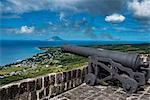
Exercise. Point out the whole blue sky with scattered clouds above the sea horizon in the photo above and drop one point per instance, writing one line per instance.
(114, 20)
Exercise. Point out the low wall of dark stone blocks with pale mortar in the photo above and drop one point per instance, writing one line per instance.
(43, 87)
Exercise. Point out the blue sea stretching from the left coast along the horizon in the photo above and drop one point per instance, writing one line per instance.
(12, 51)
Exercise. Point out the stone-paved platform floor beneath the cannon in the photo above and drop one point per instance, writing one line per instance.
(85, 92)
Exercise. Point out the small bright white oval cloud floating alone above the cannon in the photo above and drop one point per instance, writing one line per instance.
(115, 18)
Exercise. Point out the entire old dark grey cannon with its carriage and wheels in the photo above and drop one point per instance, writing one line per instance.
(107, 65)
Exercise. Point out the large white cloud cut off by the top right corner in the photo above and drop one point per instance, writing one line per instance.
(140, 8)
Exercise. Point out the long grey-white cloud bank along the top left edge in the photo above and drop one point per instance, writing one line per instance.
(21, 6)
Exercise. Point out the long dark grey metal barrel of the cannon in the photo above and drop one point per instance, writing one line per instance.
(129, 60)
